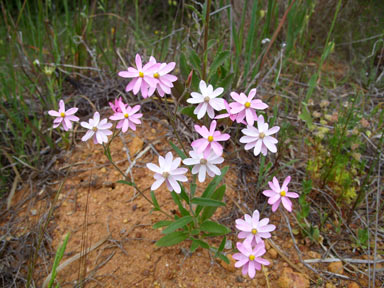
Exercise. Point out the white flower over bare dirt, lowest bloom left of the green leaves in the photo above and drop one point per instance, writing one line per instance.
(168, 172)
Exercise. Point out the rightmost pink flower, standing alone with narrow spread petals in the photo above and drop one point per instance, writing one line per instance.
(280, 194)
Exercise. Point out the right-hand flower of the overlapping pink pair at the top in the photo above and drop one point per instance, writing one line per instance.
(164, 84)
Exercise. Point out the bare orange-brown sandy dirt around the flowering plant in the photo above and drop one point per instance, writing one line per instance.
(115, 223)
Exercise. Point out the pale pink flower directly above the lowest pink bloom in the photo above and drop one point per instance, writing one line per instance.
(253, 229)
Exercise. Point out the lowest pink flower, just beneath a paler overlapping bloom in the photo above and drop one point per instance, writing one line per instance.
(249, 258)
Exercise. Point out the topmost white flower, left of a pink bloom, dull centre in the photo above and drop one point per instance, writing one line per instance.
(207, 100)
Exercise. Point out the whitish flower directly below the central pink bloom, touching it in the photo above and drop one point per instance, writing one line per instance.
(204, 165)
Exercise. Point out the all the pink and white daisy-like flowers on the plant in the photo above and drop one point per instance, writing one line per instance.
(206, 151)
